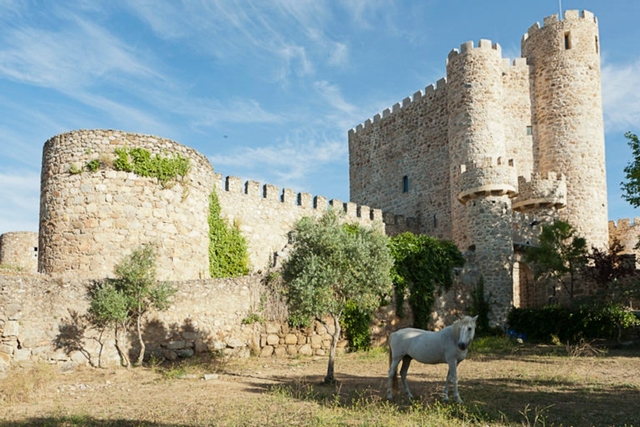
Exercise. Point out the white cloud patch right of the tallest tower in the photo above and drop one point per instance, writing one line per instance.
(621, 105)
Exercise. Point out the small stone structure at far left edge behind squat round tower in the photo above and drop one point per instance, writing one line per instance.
(20, 249)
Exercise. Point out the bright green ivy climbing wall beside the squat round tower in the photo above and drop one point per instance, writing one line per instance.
(228, 256)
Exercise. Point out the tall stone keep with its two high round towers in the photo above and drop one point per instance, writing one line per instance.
(495, 149)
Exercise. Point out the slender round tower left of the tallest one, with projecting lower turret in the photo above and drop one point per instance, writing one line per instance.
(482, 180)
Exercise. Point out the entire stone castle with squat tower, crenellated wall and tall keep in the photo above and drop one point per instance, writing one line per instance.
(483, 158)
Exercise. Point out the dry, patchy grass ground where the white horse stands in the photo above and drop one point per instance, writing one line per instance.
(524, 387)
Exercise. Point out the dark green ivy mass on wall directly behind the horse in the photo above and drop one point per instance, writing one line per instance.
(423, 265)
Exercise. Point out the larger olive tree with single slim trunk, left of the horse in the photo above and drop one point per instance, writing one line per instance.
(331, 265)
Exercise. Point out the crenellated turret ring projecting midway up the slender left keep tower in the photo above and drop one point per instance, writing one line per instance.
(491, 175)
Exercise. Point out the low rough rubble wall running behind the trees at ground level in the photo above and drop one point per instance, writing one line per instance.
(41, 318)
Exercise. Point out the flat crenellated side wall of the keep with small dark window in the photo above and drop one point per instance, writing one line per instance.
(408, 140)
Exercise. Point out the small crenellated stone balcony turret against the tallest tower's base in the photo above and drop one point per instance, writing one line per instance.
(536, 192)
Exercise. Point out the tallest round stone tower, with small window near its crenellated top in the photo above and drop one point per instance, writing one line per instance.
(567, 122)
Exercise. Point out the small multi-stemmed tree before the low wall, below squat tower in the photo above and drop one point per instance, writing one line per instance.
(127, 298)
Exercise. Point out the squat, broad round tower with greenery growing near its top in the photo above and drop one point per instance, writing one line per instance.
(92, 215)
